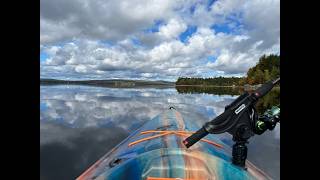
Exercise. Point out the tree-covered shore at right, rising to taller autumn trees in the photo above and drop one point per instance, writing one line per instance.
(266, 69)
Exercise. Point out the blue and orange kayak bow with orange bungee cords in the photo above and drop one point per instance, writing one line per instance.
(156, 152)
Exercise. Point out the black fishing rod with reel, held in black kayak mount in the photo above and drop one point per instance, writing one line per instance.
(241, 121)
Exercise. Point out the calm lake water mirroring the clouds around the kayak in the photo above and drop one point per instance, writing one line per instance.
(79, 124)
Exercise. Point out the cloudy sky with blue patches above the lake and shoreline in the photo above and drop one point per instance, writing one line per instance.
(155, 40)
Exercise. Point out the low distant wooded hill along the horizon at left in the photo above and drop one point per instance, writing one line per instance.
(118, 83)
